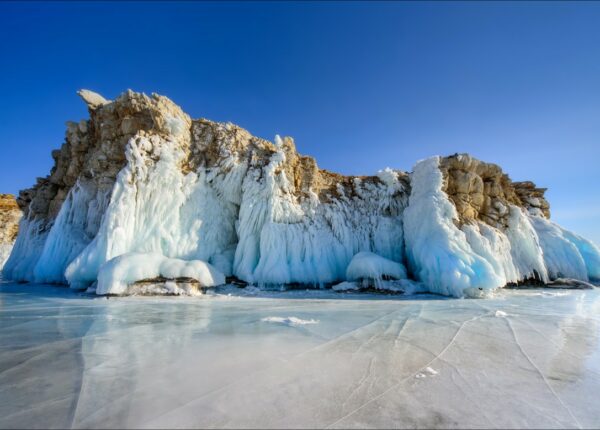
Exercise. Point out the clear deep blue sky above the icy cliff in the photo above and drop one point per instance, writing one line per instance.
(360, 86)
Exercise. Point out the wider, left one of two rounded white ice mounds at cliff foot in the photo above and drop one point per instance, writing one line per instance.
(117, 274)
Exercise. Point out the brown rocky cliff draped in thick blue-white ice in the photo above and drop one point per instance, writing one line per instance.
(141, 188)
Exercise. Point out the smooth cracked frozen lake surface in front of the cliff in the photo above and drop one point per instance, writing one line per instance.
(298, 359)
